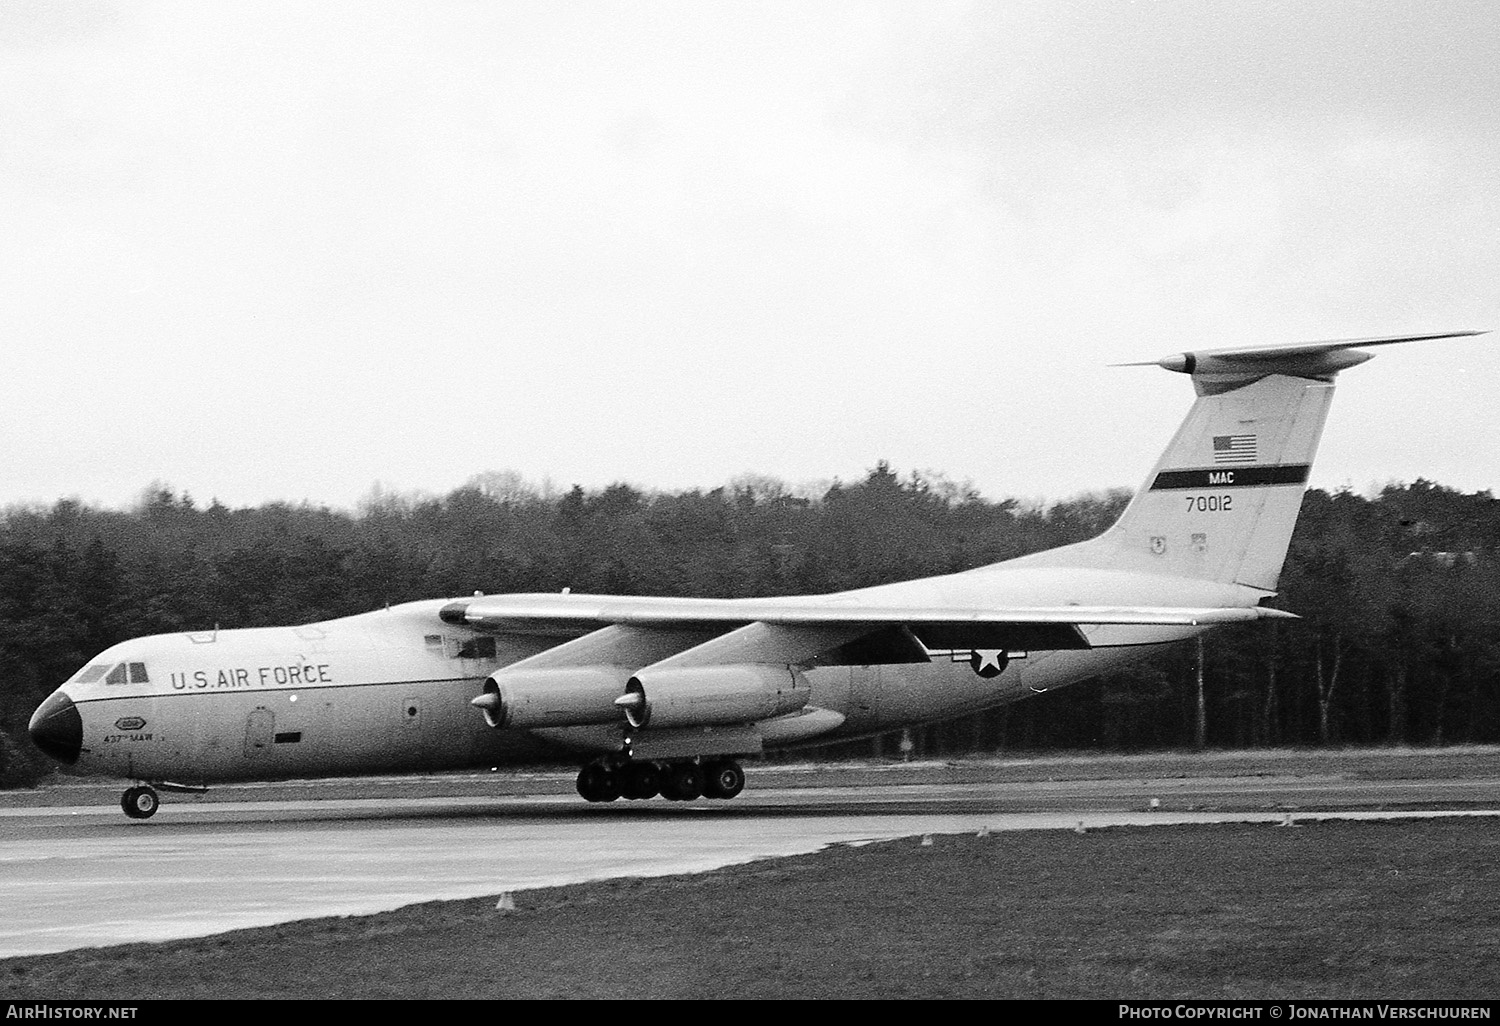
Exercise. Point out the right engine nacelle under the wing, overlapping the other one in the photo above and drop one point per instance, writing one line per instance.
(709, 695)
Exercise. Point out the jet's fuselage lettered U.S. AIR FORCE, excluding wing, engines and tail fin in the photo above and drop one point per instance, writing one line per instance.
(392, 691)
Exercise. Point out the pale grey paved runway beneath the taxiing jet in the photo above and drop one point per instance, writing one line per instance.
(82, 875)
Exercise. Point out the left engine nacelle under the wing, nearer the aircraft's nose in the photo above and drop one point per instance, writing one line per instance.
(563, 697)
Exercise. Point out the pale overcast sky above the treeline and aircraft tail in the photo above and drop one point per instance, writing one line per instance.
(284, 251)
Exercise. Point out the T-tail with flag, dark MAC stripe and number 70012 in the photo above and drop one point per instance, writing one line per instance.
(1223, 500)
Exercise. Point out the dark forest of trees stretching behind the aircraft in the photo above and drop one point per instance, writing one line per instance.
(1399, 593)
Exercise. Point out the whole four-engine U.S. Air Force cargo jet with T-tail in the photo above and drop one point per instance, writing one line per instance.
(664, 697)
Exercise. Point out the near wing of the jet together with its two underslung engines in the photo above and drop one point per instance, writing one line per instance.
(730, 674)
